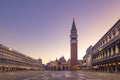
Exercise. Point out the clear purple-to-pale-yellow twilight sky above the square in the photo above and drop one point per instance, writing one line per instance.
(41, 28)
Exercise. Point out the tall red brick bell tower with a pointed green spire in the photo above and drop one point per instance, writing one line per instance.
(73, 43)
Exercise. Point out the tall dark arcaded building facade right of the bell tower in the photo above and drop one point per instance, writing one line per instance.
(106, 52)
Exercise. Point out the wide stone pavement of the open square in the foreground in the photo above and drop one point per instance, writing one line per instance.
(58, 75)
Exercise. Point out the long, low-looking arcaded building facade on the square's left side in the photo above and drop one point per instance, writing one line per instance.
(12, 60)
